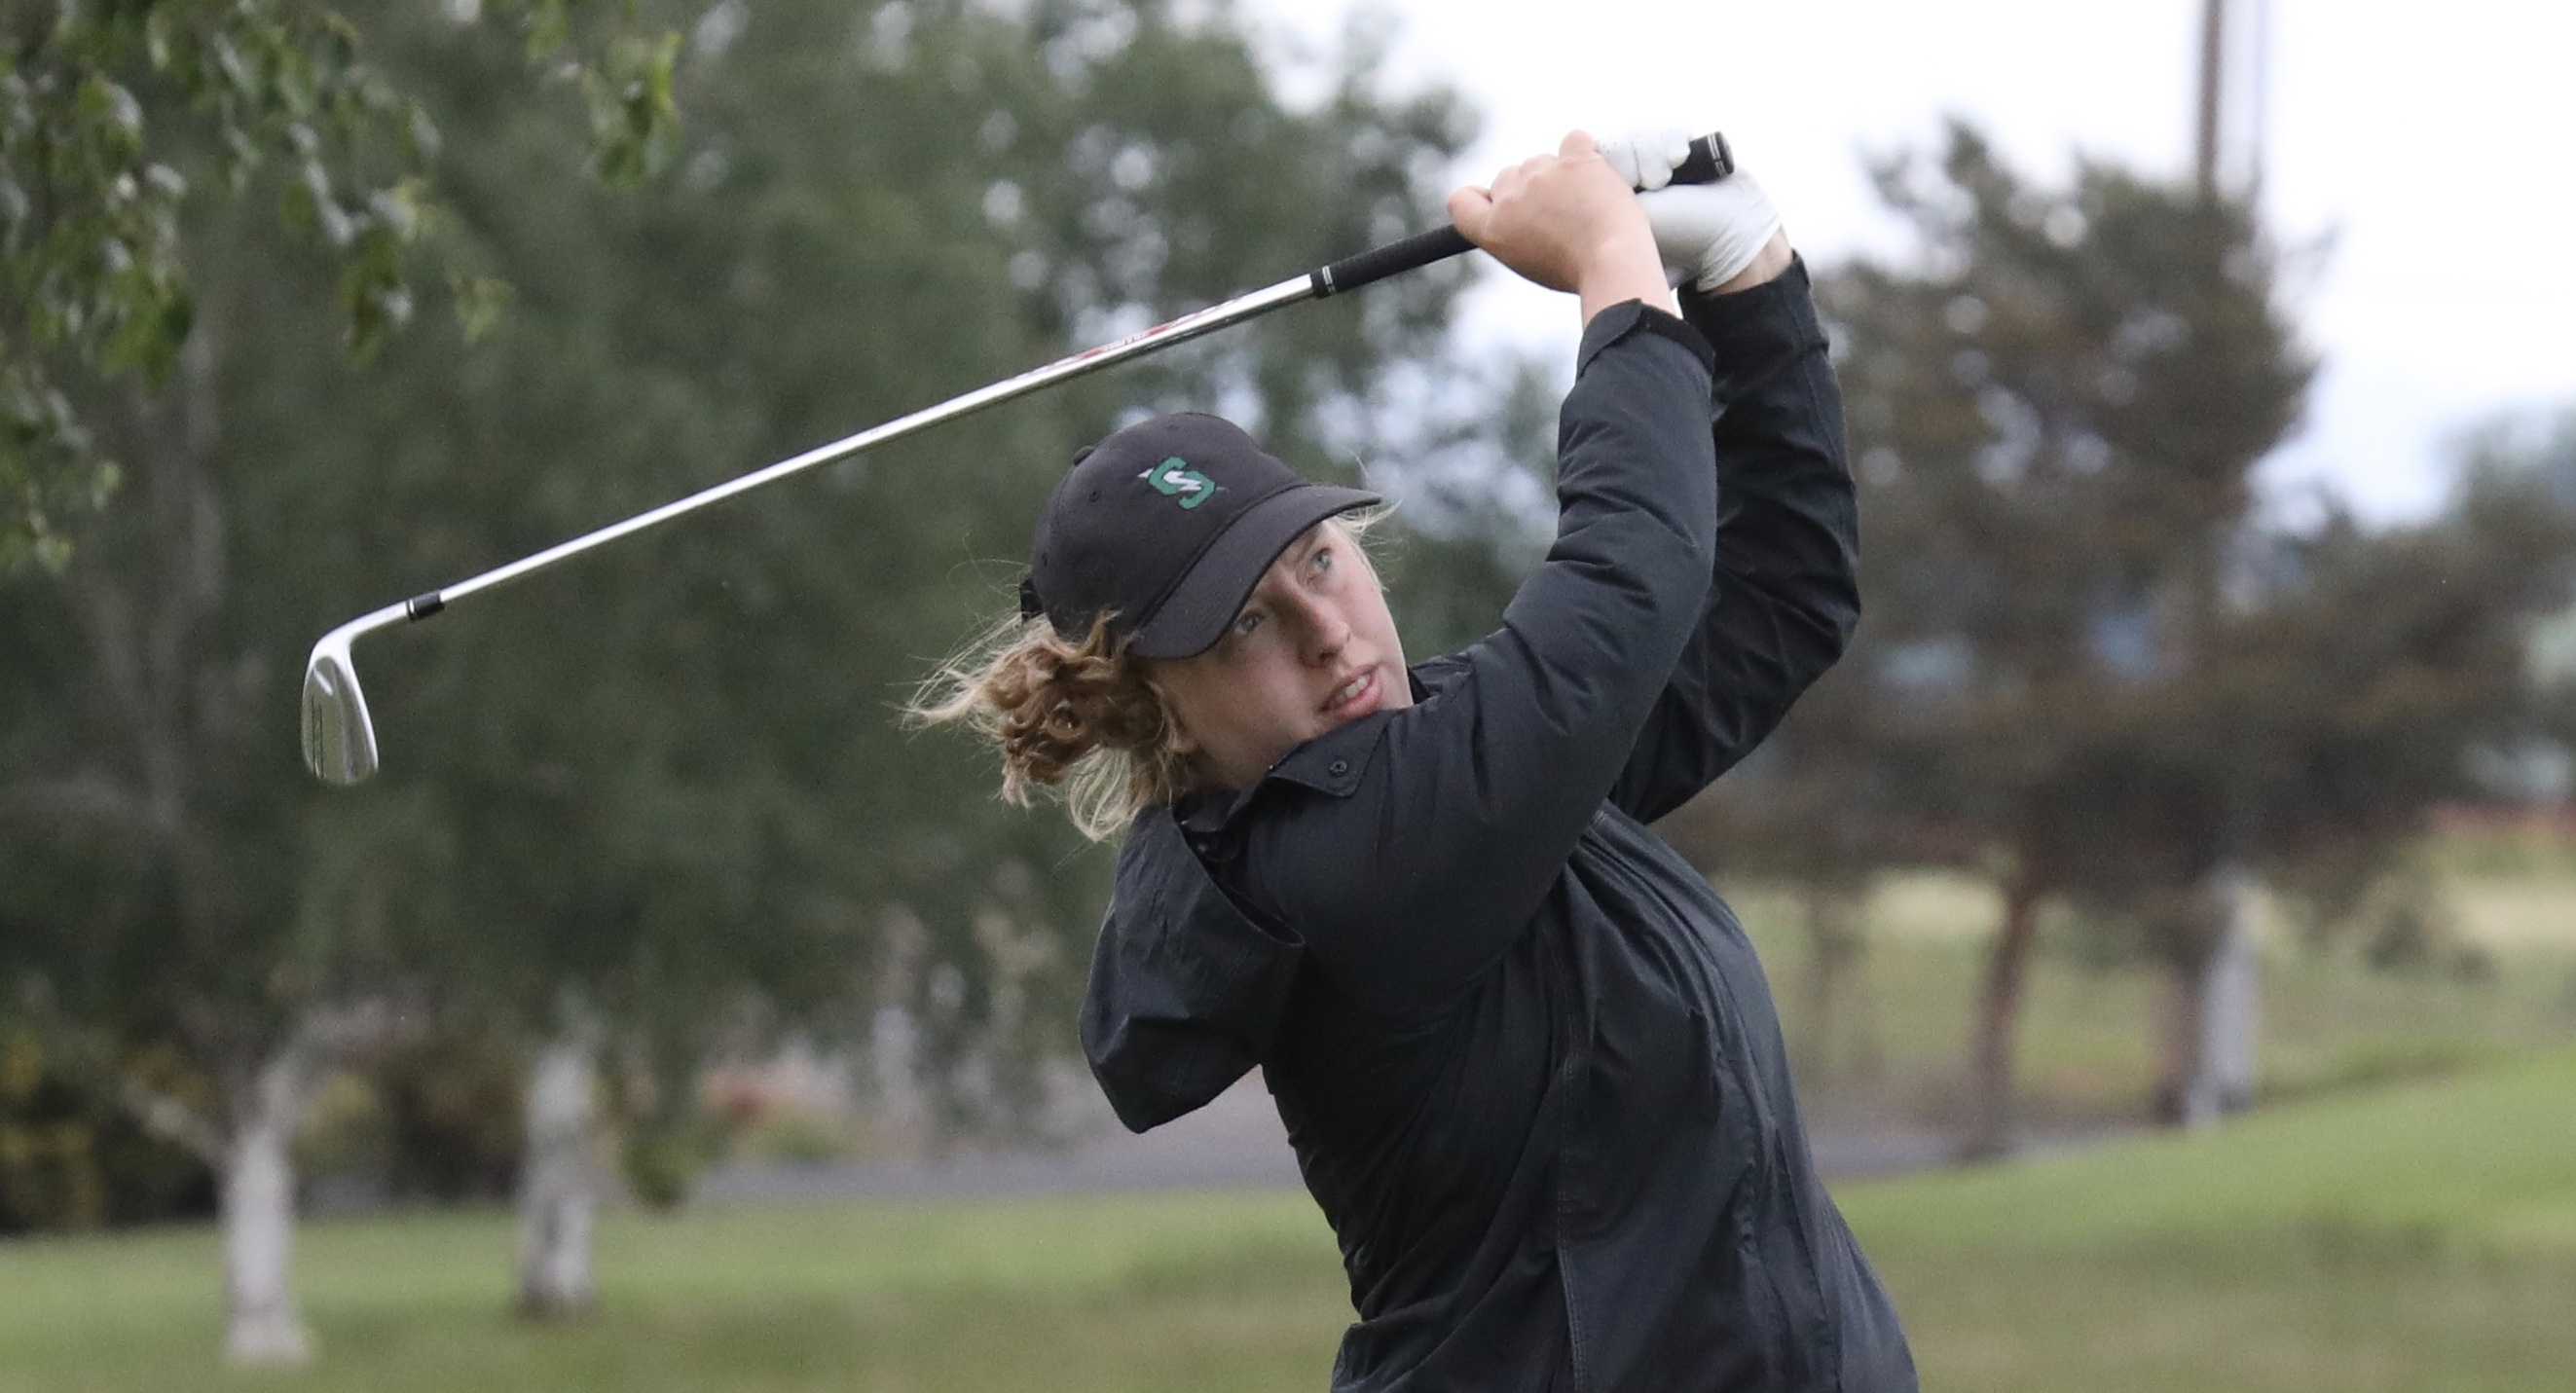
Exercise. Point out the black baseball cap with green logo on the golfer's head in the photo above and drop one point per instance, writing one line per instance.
(1168, 527)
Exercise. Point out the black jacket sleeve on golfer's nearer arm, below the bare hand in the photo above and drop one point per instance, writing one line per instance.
(1464, 810)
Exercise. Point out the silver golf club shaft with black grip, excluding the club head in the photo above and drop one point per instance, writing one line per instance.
(1709, 161)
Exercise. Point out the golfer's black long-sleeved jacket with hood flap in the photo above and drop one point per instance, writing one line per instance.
(1524, 1052)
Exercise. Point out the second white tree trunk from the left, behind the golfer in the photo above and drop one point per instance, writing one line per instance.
(558, 1191)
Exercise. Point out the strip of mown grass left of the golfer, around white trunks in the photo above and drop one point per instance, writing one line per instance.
(1171, 1291)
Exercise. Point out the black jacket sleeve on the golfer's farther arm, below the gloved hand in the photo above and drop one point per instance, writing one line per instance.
(1784, 594)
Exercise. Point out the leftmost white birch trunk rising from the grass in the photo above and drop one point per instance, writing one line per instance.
(261, 1320)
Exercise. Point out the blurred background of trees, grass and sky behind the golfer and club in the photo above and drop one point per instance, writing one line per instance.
(2170, 900)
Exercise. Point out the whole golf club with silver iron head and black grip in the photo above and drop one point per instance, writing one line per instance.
(341, 738)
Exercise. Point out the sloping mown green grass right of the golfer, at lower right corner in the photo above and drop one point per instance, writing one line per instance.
(2415, 1240)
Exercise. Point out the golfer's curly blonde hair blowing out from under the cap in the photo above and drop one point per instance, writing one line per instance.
(1081, 720)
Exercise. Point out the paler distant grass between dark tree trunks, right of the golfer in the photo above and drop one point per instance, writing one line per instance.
(2085, 1052)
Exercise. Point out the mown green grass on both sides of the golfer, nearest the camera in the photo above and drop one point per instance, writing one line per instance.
(2407, 1240)
